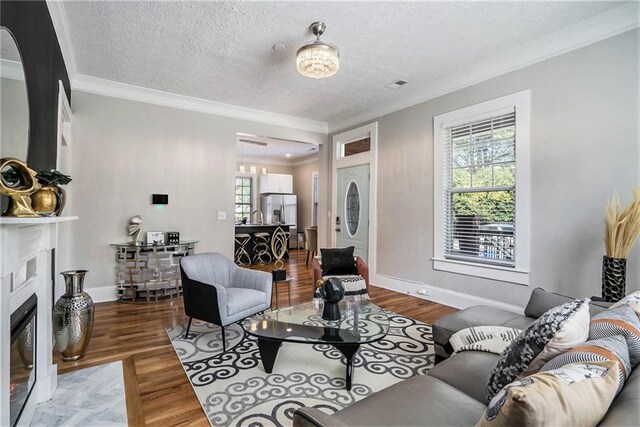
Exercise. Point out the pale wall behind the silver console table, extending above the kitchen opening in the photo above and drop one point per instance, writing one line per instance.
(123, 151)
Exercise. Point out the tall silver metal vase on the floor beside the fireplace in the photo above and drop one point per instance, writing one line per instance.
(73, 317)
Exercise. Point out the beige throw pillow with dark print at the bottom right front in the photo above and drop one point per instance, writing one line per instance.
(577, 394)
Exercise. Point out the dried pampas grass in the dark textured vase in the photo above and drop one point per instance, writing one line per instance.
(621, 226)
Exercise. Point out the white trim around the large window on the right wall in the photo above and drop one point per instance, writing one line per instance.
(518, 274)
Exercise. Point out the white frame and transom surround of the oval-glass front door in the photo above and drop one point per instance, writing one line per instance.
(339, 162)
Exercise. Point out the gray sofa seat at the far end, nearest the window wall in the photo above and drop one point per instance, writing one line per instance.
(479, 315)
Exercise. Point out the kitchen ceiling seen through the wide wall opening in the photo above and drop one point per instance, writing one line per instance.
(276, 149)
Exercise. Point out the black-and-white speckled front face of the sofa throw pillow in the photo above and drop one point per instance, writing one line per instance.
(523, 350)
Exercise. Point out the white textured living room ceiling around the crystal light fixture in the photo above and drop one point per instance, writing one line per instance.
(222, 51)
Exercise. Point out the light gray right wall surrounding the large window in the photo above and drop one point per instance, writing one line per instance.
(584, 146)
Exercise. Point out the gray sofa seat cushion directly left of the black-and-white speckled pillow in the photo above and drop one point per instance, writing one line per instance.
(467, 371)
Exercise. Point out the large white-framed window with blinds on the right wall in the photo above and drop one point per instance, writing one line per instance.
(482, 189)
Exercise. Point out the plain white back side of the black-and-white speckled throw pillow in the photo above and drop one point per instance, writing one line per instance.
(573, 332)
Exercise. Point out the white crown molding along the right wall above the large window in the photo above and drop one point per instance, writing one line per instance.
(587, 32)
